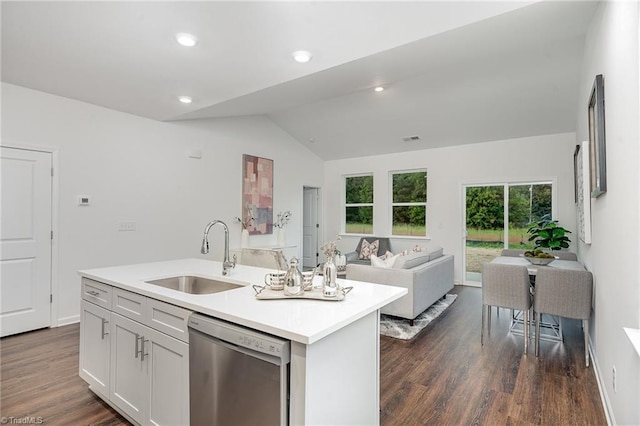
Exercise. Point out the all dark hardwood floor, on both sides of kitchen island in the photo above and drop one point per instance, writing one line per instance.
(441, 377)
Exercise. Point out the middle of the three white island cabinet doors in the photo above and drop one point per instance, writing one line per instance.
(128, 369)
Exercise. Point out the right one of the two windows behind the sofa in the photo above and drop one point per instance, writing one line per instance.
(409, 203)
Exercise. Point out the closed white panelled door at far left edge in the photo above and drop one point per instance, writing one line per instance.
(25, 240)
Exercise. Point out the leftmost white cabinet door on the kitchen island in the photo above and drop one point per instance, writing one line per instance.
(94, 346)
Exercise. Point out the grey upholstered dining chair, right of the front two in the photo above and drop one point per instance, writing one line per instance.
(564, 293)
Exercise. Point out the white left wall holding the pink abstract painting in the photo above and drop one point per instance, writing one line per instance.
(136, 169)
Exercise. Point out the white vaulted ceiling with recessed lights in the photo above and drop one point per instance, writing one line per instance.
(453, 72)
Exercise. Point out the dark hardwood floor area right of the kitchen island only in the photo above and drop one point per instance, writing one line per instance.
(444, 377)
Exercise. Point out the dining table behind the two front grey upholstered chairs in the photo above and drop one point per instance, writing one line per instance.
(550, 325)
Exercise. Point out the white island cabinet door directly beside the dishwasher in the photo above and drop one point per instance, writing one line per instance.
(168, 380)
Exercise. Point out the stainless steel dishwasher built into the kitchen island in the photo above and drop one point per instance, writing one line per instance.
(237, 376)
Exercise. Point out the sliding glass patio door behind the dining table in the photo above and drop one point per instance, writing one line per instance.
(490, 227)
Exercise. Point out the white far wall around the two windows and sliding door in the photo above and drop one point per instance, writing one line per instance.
(541, 157)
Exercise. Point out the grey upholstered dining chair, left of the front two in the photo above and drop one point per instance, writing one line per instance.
(505, 286)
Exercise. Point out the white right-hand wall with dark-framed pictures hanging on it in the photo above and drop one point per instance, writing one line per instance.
(612, 50)
